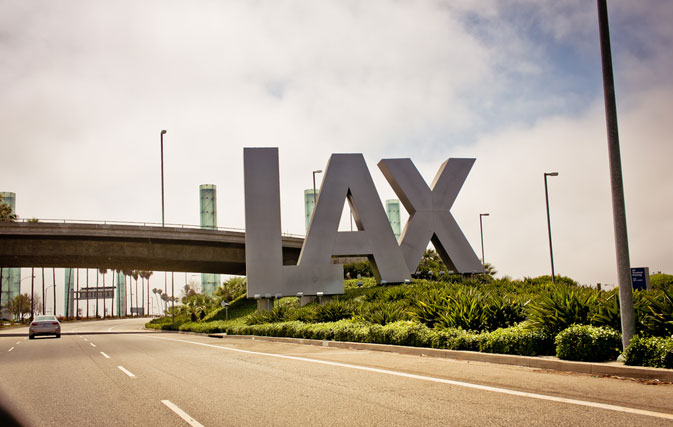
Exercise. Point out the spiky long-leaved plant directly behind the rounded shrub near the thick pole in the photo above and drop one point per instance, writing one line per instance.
(560, 307)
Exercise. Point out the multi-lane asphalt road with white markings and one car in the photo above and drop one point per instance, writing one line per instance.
(114, 373)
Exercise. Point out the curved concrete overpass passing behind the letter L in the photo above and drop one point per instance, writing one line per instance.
(128, 247)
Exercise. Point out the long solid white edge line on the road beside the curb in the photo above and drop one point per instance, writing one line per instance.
(441, 380)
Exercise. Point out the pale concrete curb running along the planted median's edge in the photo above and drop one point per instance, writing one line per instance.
(618, 370)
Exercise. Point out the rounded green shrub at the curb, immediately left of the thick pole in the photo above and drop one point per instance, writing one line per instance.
(588, 343)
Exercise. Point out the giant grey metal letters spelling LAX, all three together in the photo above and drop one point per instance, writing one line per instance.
(347, 177)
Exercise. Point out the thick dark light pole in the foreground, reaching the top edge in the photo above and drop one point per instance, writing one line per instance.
(616, 183)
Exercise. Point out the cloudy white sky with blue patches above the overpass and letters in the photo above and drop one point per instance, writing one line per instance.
(87, 86)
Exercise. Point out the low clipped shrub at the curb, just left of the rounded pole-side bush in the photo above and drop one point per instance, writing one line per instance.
(516, 340)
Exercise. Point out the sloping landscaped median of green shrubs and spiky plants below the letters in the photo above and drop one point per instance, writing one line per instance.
(527, 318)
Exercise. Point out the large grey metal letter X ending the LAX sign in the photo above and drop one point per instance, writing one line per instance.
(430, 218)
